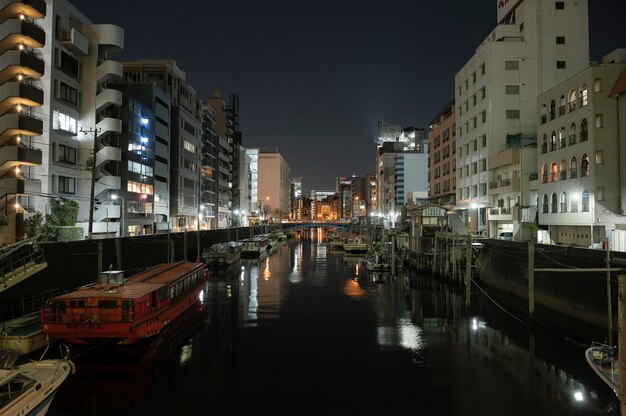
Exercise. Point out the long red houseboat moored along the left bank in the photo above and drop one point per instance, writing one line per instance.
(125, 310)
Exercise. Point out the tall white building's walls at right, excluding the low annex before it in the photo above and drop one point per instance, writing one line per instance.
(496, 90)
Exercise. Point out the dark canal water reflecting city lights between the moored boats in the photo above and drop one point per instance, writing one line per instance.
(309, 329)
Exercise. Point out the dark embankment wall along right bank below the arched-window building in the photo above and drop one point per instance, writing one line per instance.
(577, 296)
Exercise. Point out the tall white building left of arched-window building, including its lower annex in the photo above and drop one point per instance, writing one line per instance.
(536, 45)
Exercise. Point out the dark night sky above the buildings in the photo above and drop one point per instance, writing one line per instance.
(315, 77)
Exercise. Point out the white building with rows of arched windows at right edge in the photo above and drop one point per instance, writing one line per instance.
(578, 155)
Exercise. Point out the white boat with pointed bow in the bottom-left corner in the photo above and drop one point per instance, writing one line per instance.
(28, 389)
